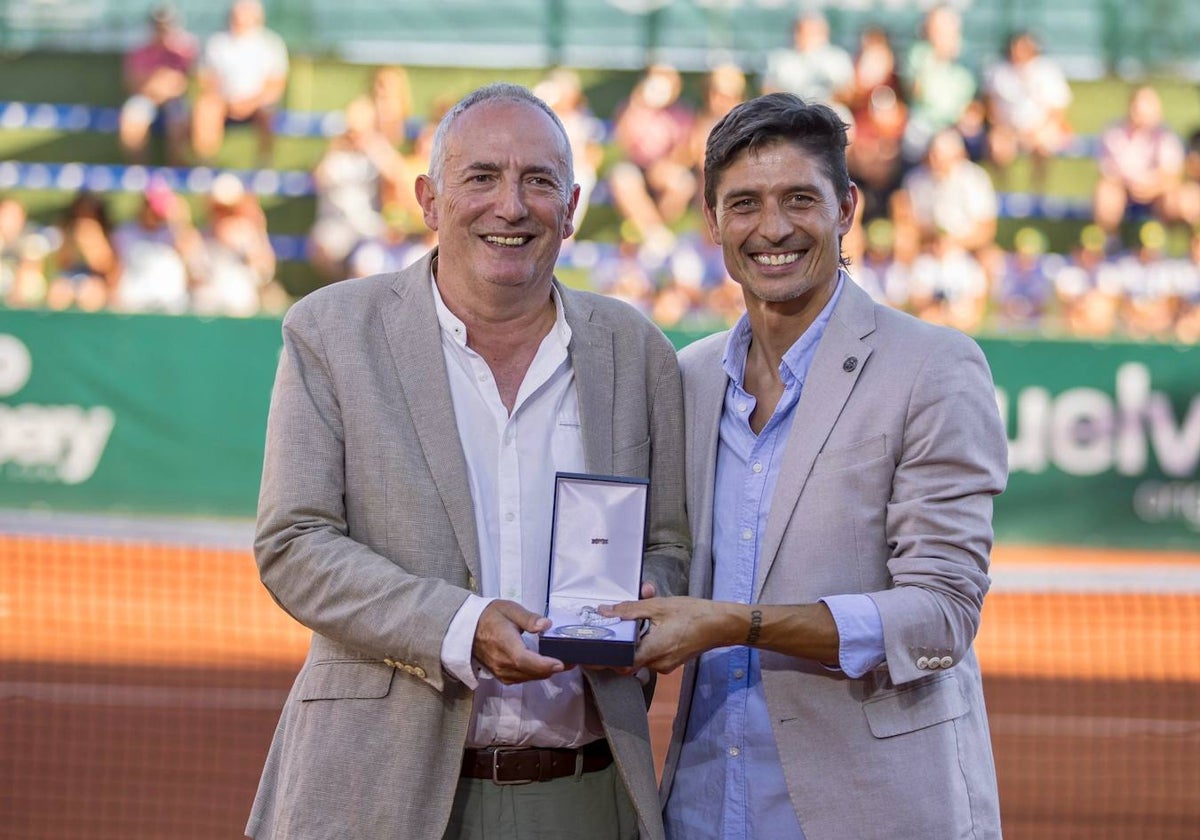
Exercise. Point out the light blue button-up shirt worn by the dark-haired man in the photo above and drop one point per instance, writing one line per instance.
(729, 783)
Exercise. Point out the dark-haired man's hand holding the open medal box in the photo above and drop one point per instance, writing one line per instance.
(682, 628)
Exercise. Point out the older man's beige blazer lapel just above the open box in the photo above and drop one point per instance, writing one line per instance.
(592, 352)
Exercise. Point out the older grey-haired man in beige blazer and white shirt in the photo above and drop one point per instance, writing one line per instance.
(416, 428)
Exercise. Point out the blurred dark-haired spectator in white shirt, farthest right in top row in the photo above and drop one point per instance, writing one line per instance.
(1028, 97)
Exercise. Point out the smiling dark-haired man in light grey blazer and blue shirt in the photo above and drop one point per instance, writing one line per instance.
(843, 460)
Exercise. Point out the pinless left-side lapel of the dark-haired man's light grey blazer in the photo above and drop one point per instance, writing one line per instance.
(705, 423)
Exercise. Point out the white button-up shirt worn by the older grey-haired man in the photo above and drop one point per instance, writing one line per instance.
(512, 461)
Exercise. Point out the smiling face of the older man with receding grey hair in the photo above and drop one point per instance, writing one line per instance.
(503, 199)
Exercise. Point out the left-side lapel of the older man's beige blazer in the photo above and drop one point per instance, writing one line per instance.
(415, 337)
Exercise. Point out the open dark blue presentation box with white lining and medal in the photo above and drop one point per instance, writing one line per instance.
(596, 559)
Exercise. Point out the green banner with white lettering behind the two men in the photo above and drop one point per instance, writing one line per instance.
(166, 416)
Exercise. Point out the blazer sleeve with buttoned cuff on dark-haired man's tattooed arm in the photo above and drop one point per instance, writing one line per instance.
(953, 461)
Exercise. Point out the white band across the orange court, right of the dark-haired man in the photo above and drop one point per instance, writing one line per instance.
(1143, 579)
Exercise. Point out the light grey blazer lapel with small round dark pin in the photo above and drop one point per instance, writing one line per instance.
(826, 391)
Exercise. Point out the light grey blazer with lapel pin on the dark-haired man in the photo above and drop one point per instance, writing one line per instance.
(886, 489)
